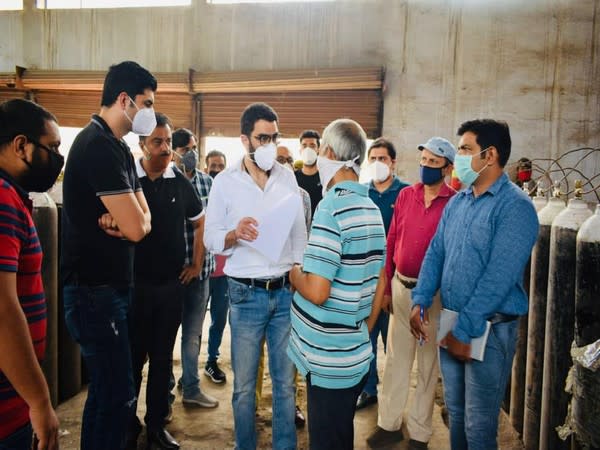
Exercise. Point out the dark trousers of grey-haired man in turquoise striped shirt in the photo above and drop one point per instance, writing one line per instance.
(331, 416)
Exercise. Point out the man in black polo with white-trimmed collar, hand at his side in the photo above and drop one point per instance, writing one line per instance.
(160, 276)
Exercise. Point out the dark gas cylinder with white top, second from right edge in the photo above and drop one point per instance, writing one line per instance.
(560, 321)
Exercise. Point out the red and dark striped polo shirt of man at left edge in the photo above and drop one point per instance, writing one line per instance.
(21, 253)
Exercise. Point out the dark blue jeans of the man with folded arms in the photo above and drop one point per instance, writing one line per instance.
(96, 317)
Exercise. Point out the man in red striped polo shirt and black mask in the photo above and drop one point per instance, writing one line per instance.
(29, 161)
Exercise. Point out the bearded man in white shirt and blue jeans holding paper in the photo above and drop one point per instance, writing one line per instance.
(259, 291)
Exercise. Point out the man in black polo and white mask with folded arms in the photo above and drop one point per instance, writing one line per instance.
(104, 213)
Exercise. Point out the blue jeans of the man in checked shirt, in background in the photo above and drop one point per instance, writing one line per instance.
(192, 320)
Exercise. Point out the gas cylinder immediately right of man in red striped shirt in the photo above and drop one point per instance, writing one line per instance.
(45, 217)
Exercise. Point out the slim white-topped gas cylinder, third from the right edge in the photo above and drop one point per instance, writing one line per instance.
(538, 290)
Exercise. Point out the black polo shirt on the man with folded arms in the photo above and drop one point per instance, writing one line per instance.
(98, 165)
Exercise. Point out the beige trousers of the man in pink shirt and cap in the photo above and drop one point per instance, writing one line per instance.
(400, 355)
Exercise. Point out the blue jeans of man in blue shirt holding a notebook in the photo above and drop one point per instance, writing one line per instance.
(474, 391)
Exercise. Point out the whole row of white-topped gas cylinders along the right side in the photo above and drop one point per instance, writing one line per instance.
(564, 312)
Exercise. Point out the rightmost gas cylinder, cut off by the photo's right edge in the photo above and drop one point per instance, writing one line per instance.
(586, 389)
